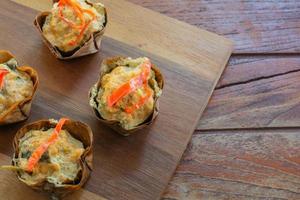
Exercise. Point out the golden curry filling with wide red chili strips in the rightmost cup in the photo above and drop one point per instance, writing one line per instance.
(128, 92)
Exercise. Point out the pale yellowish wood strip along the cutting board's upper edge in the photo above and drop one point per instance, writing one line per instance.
(152, 33)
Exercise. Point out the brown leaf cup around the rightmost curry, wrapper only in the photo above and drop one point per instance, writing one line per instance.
(107, 66)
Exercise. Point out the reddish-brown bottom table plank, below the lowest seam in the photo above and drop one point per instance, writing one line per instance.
(239, 165)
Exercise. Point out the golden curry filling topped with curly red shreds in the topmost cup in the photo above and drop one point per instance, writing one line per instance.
(72, 22)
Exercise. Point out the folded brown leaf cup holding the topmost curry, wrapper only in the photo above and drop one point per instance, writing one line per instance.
(90, 45)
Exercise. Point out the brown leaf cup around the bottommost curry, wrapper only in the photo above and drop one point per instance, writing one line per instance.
(77, 130)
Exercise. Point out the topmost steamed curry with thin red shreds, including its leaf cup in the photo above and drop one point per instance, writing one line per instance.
(73, 28)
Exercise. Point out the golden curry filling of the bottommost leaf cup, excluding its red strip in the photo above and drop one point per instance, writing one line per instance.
(60, 162)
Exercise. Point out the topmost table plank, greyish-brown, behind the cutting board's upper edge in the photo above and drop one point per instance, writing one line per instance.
(255, 26)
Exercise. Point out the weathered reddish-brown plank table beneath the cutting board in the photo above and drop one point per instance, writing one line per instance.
(247, 145)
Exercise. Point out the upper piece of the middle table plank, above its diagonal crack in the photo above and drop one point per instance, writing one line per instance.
(243, 69)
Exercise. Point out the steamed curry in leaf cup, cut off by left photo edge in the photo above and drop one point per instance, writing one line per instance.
(18, 85)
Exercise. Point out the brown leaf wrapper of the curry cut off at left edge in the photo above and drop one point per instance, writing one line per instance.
(20, 110)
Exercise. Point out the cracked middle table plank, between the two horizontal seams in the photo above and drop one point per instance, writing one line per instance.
(256, 92)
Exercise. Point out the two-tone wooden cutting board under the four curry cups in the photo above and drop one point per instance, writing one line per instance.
(136, 167)
